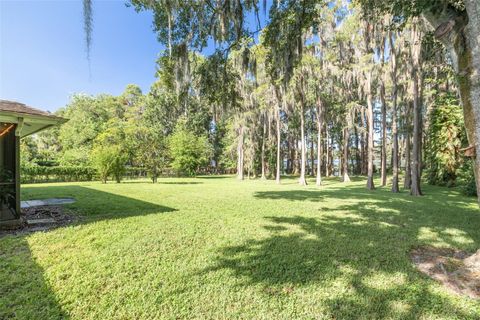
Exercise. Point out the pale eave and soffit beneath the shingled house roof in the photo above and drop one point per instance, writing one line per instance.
(28, 124)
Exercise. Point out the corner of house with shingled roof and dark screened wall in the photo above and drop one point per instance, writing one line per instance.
(16, 121)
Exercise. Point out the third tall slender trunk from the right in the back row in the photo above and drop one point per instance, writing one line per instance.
(393, 57)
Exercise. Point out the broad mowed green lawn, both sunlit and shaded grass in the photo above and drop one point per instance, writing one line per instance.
(218, 248)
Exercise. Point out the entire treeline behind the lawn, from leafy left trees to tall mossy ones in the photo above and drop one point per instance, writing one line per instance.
(332, 93)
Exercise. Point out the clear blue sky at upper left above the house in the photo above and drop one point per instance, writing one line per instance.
(42, 51)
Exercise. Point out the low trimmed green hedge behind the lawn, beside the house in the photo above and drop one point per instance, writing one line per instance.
(33, 173)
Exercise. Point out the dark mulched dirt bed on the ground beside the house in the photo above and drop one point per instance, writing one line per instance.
(42, 218)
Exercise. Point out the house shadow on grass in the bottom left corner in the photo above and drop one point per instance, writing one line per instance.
(21, 279)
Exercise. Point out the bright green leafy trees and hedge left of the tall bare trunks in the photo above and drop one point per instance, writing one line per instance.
(107, 137)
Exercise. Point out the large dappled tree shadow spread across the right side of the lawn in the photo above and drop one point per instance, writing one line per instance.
(359, 249)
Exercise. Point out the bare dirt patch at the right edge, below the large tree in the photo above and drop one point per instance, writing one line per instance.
(457, 270)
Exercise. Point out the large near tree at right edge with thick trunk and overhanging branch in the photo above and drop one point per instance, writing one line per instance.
(456, 24)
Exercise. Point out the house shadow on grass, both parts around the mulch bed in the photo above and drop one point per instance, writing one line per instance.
(21, 278)
